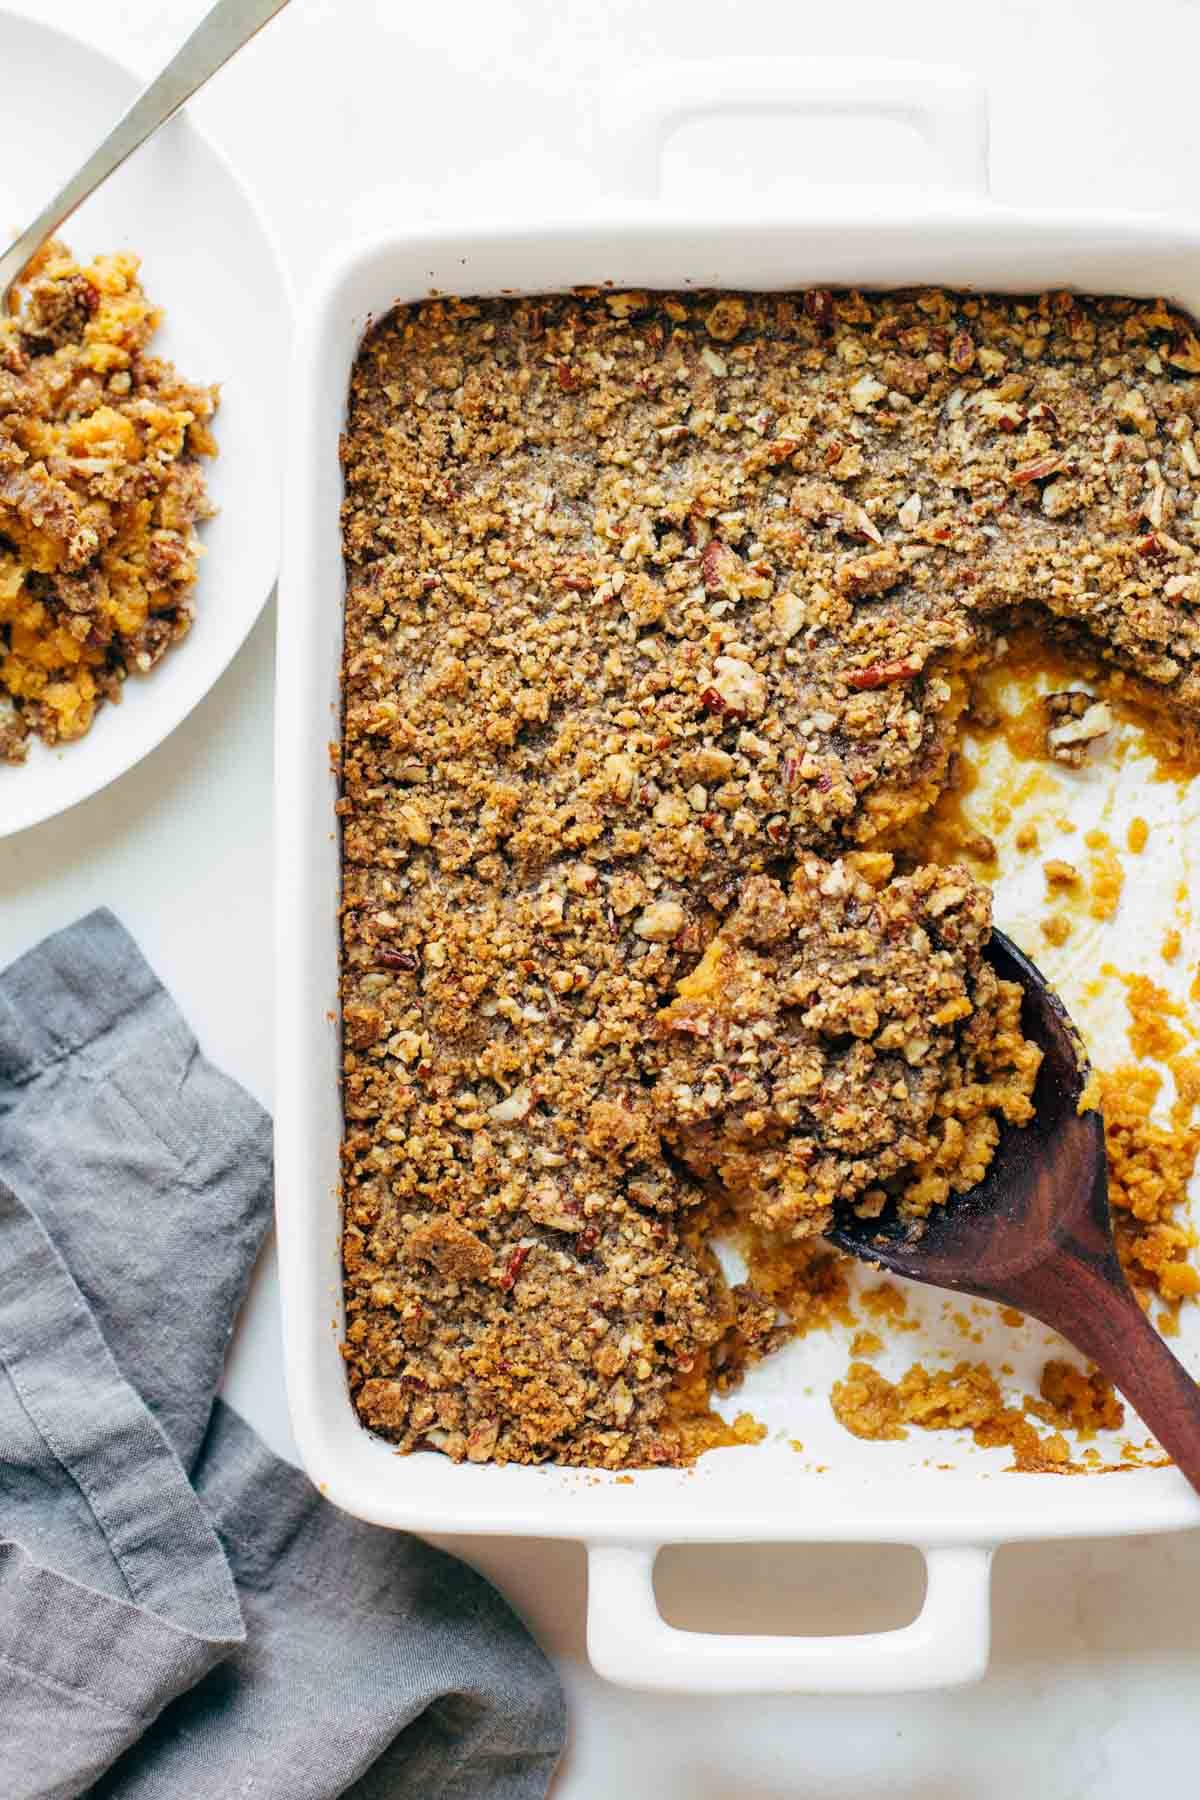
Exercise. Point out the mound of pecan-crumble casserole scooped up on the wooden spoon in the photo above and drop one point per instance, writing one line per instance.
(843, 1041)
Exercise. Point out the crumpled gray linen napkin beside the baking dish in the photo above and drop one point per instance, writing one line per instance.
(181, 1614)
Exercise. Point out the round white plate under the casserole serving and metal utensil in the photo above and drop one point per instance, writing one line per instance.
(208, 258)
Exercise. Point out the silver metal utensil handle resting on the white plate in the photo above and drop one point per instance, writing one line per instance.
(215, 40)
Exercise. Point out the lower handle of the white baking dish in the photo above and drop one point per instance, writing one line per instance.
(632, 1644)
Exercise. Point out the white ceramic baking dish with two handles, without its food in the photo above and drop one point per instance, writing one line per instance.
(837, 1489)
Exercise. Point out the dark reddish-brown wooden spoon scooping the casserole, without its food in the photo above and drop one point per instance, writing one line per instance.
(1037, 1232)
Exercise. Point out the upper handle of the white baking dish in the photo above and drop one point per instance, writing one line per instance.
(947, 107)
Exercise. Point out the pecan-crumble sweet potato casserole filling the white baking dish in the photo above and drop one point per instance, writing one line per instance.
(665, 613)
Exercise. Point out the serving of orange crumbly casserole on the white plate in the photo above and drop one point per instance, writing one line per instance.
(102, 489)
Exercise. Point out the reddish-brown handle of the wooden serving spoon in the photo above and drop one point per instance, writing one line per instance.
(1089, 1302)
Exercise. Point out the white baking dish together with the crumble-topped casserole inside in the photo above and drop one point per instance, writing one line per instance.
(681, 667)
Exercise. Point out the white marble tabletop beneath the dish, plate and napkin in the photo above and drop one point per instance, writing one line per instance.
(350, 109)
